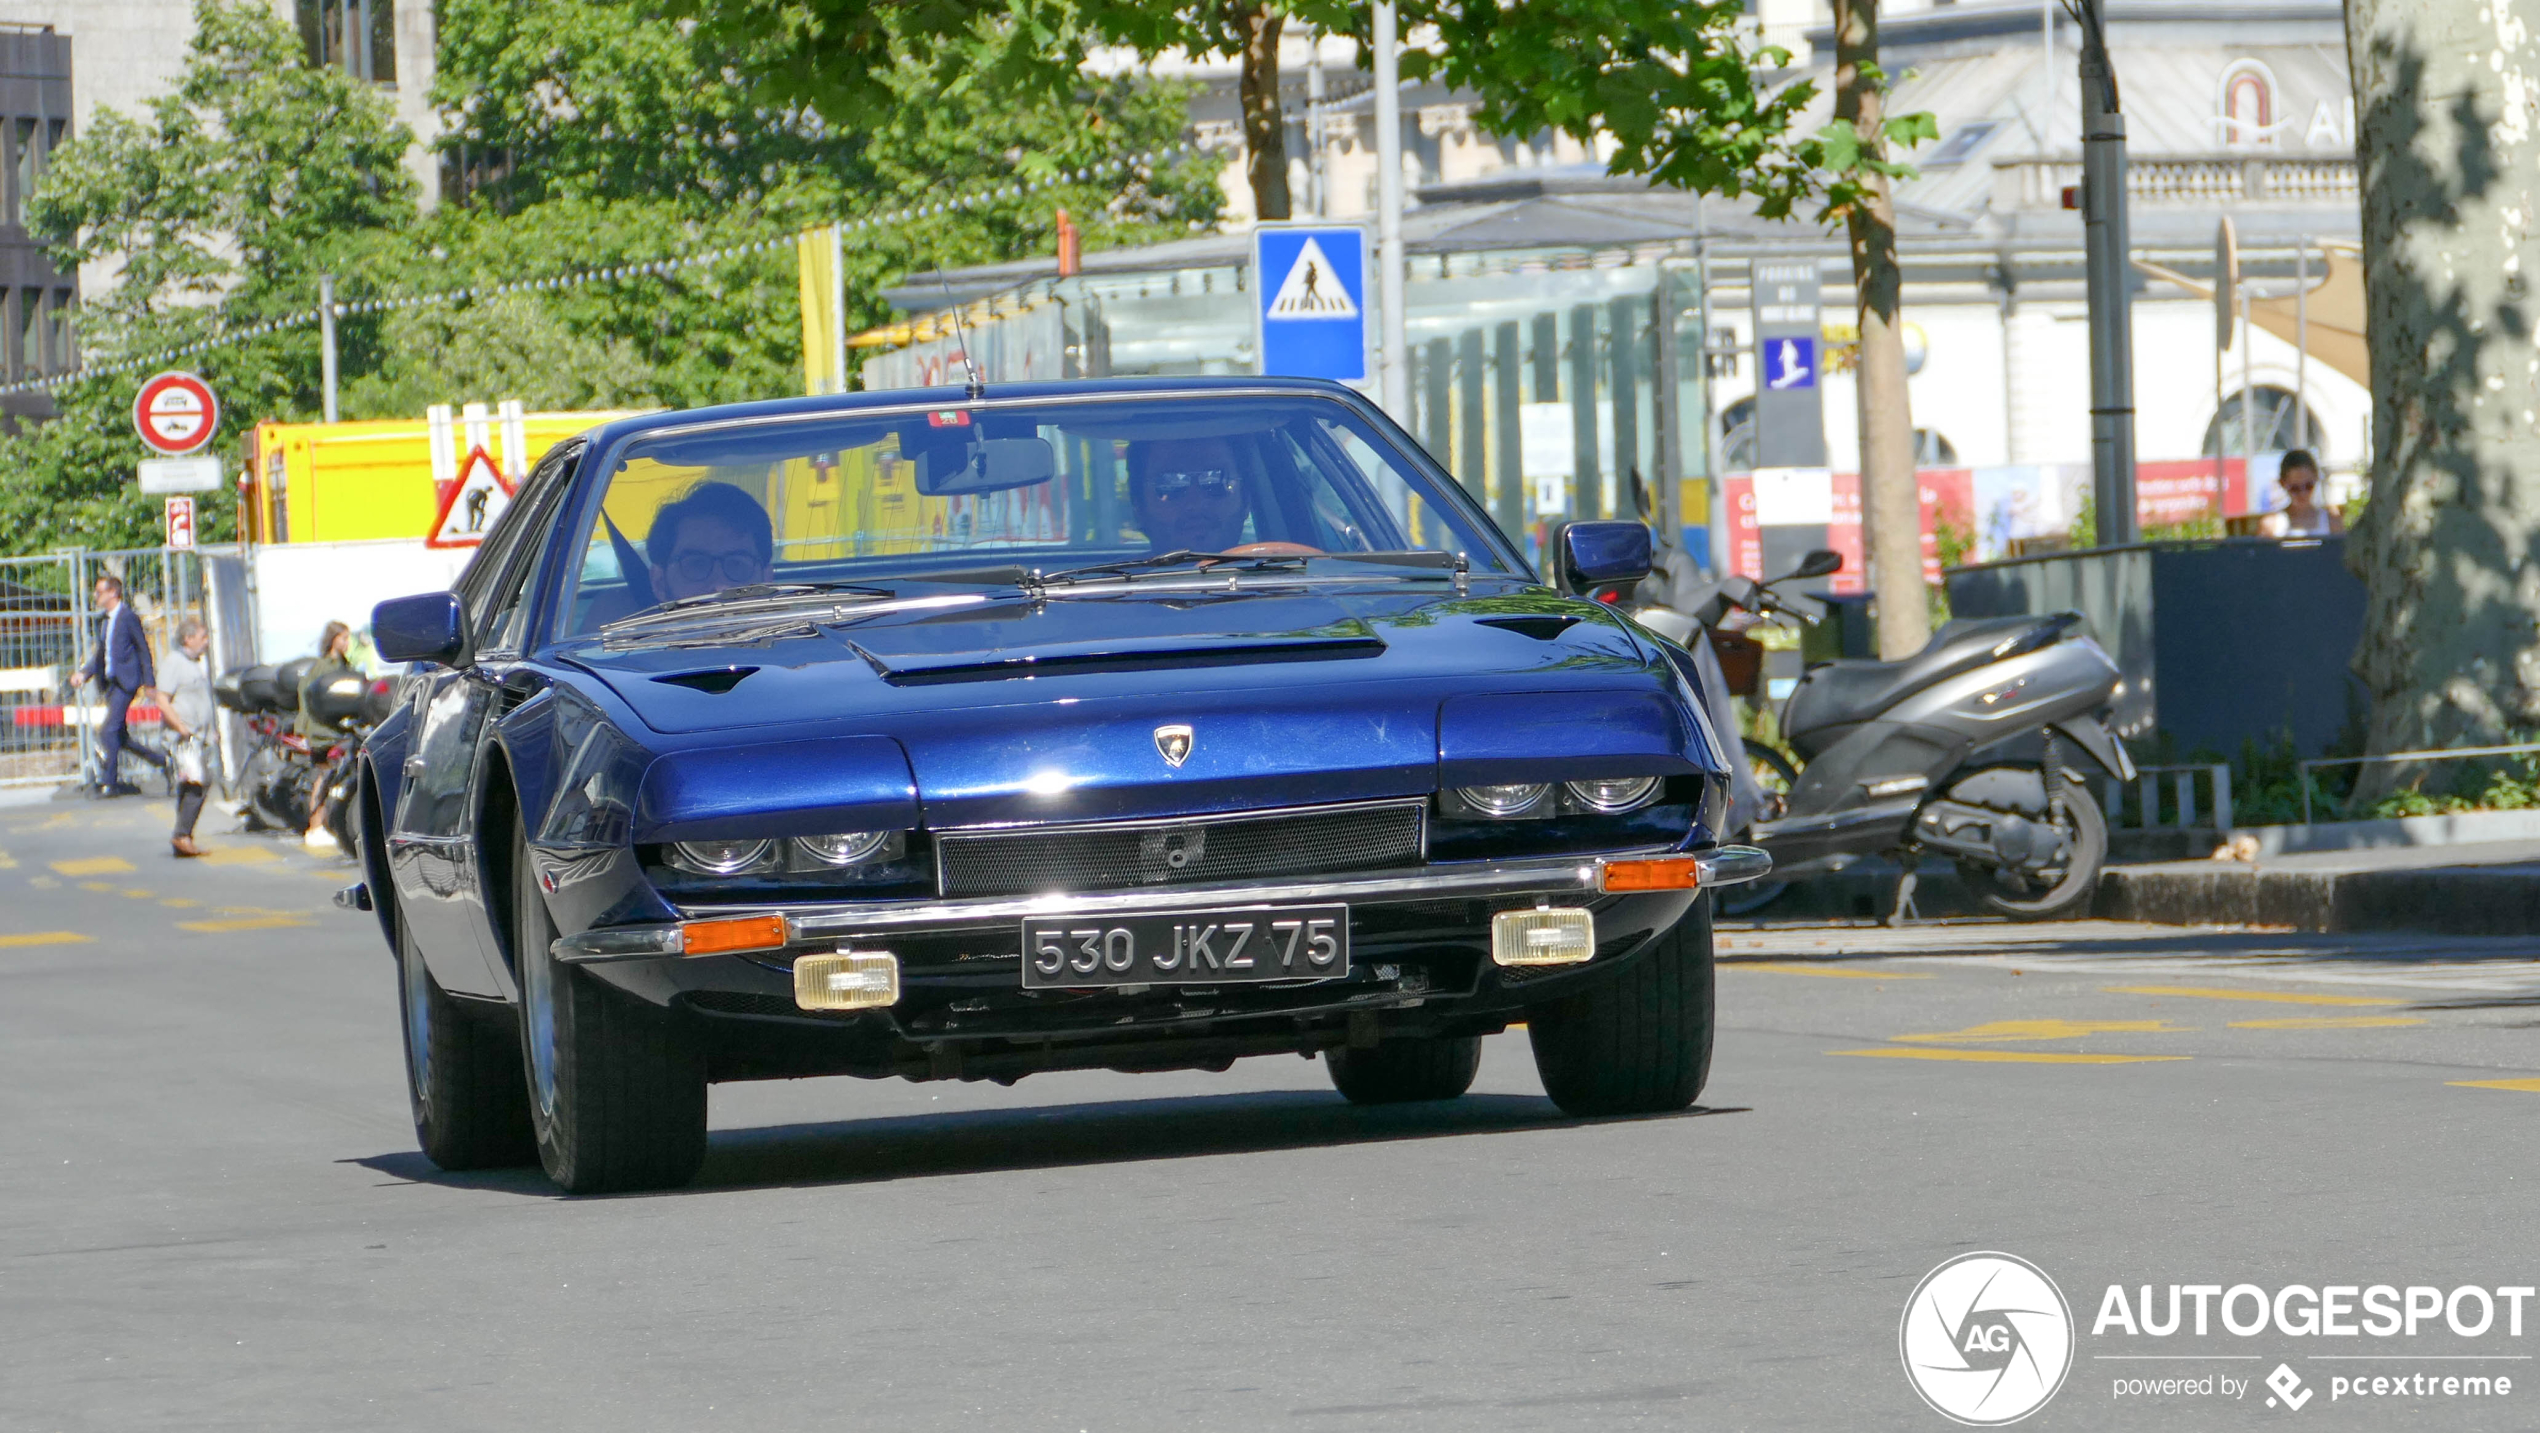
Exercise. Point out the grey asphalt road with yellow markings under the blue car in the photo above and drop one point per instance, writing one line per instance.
(212, 1213)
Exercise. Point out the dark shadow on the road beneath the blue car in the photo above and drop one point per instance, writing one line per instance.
(1055, 1137)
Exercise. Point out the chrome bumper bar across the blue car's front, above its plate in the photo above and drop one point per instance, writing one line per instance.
(824, 924)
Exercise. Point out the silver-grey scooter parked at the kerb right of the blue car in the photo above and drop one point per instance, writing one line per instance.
(1965, 751)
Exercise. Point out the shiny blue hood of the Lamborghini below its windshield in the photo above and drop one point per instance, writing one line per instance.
(1020, 708)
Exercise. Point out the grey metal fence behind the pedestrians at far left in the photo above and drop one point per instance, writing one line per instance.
(50, 631)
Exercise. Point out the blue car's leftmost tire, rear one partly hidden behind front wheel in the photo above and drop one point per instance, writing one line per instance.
(464, 1073)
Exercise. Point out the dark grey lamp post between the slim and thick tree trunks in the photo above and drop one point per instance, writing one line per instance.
(2109, 283)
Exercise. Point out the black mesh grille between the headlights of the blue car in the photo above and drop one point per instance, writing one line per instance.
(1180, 852)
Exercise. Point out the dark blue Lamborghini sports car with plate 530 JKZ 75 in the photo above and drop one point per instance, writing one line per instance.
(974, 733)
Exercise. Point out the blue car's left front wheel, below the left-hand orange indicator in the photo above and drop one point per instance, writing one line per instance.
(616, 1086)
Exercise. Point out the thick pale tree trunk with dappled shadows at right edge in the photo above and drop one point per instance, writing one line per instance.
(2450, 105)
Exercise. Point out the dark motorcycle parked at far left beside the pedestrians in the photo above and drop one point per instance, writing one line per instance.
(286, 774)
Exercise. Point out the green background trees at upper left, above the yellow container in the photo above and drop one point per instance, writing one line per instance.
(629, 141)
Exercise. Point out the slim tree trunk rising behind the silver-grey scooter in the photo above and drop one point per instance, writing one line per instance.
(1891, 492)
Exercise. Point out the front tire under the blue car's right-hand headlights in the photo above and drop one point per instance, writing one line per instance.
(1637, 1043)
